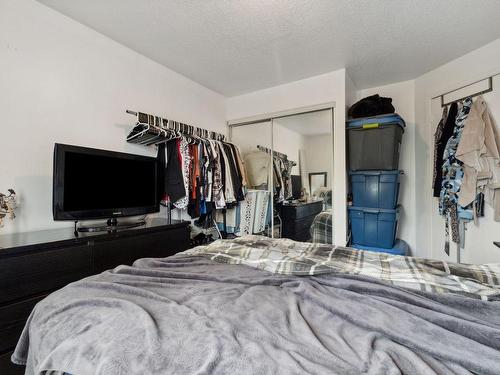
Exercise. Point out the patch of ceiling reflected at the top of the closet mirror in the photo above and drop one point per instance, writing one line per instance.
(314, 123)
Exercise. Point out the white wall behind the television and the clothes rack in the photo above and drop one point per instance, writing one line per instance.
(63, 82)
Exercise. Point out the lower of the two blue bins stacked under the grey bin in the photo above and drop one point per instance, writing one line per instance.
(373, 226)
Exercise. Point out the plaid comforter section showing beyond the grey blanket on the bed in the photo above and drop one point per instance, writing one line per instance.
(288, 257)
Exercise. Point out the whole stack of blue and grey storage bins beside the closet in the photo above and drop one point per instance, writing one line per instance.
(374, 144)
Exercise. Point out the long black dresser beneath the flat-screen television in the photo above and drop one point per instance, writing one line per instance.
(34, 264)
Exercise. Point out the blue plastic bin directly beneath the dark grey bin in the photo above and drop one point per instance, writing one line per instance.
(375, 189)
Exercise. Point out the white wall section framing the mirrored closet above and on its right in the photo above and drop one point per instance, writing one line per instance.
(330, 87)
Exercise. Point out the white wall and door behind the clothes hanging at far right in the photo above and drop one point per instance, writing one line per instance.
(474, 66)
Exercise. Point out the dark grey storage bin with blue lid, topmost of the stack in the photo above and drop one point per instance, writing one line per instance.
(374, 142)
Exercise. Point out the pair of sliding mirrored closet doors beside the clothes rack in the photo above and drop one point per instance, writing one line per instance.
(289, 163)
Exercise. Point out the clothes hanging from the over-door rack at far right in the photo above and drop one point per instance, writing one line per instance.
(466, 165)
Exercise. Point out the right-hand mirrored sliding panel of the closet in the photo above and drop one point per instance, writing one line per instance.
(304, 212)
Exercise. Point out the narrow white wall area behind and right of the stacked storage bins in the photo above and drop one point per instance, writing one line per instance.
(403, 99)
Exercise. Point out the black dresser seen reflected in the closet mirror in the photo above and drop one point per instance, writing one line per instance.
(297, 219)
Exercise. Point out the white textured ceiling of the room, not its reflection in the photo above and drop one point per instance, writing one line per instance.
(234, 47)
